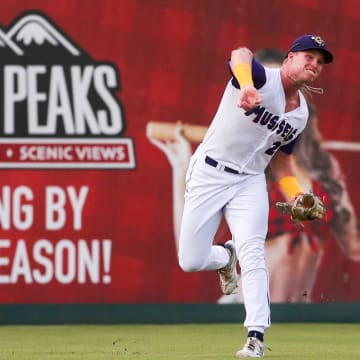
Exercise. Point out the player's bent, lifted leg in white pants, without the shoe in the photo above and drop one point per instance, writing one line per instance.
(206, 194)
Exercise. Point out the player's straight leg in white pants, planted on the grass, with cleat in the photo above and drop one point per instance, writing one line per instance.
(247, 216)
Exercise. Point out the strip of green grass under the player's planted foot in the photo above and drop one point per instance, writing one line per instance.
(172, 342)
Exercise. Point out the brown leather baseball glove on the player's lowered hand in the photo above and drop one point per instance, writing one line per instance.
(304, 207)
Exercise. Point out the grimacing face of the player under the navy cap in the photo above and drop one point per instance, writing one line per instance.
(307, 65)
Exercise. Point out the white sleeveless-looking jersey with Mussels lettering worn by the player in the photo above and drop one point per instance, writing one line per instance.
(246, 141)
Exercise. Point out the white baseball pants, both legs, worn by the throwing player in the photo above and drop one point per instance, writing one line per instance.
(243, 200)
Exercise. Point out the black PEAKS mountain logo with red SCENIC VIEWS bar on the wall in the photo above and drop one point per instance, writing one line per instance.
(60, 107)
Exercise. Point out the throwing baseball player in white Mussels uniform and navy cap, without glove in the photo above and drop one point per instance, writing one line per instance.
(259, 118)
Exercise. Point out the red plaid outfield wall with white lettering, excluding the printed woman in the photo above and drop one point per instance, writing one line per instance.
(85, 198)
